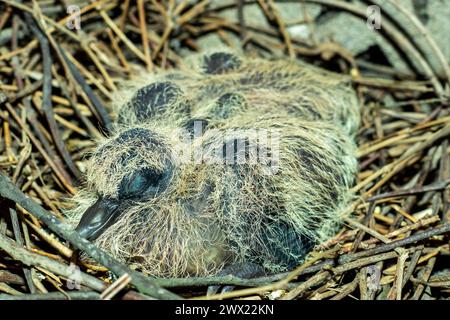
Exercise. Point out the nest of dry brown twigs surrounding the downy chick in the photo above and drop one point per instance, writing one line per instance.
(56, 82)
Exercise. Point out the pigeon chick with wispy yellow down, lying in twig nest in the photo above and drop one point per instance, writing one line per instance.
(234, 165)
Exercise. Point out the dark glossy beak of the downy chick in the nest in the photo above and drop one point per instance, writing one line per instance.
(98, 218)
